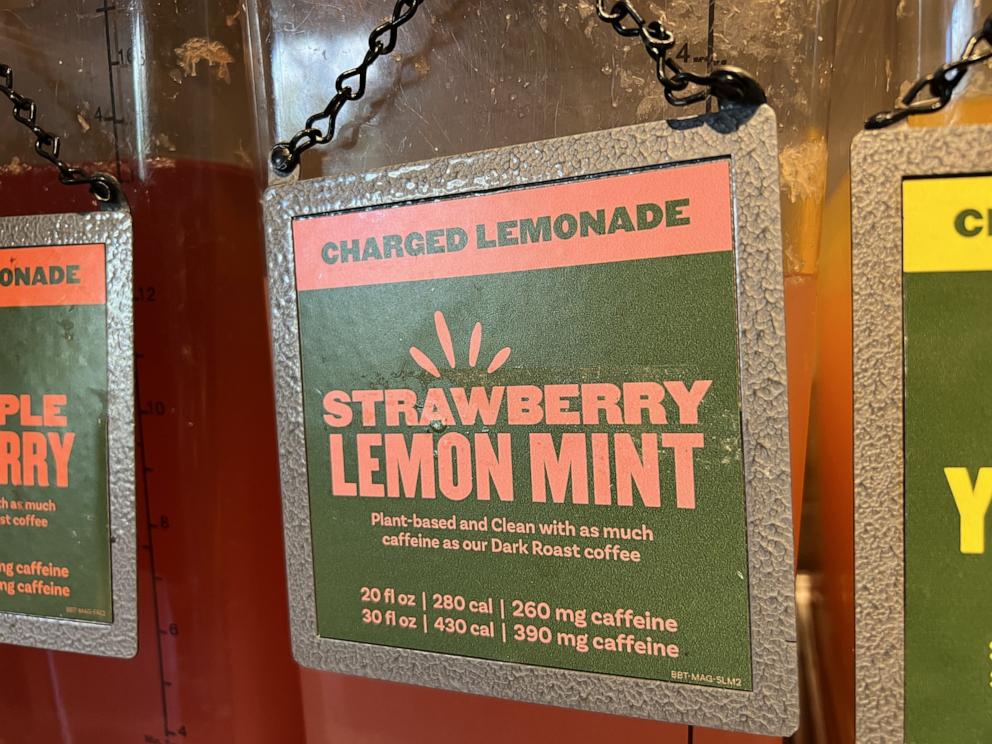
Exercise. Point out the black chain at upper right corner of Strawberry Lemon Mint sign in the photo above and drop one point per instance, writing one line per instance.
(726, 84)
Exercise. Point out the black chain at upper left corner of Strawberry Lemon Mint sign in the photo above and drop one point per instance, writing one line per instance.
(350, 86)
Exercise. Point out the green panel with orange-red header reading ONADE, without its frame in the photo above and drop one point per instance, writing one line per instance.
(54, 510)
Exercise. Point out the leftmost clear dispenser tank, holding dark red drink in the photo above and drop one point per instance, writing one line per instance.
(157, 93)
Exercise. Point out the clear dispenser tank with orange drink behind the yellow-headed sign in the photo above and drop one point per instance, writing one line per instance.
(881, 51)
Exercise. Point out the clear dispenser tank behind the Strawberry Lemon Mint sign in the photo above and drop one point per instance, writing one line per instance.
(468, 76)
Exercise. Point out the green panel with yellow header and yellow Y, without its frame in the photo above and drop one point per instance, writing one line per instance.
(948, 357)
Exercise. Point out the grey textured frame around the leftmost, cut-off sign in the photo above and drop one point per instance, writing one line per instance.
(119, 638)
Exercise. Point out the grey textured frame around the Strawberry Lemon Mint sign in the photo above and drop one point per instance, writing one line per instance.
(748, 138)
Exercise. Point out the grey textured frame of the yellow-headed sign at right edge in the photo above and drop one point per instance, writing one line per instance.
(880, 161)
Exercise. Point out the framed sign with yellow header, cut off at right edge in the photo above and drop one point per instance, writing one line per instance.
(923, 462)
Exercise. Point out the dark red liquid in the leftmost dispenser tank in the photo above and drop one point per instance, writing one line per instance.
(214, 663)
